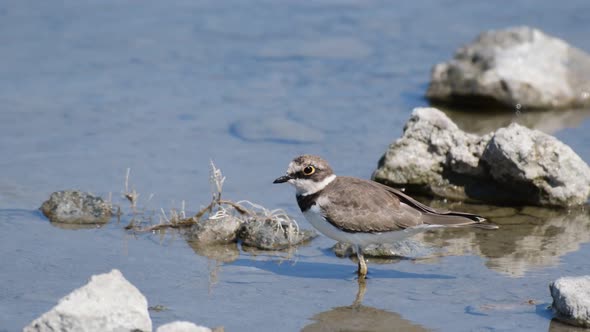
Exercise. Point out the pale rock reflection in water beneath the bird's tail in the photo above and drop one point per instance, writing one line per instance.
(528, 238)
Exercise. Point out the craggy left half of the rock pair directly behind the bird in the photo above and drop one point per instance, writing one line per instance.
(432, 147)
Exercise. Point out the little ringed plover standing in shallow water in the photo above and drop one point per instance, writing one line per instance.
(363, 212)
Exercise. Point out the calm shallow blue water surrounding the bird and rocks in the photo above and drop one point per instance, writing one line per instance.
(93, 88)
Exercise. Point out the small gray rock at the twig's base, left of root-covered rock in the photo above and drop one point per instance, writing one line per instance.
(215, 231)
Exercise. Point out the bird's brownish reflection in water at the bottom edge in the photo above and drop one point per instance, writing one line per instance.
(358, 317)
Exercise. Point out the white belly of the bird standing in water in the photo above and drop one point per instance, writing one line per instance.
(315, 218)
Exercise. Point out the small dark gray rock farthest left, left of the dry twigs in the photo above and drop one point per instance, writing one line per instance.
(76, 207)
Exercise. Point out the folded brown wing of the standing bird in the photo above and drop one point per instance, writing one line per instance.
(385, 208)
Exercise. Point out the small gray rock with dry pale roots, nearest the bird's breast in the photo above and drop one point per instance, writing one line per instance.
(269, 234)
